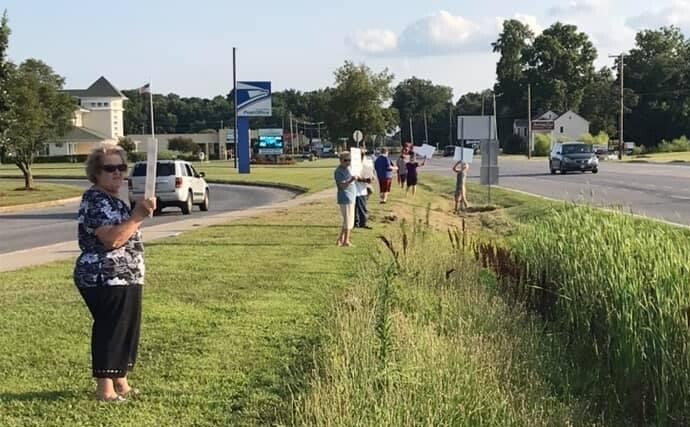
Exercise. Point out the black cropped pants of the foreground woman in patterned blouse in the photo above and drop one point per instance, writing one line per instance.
(116, 312)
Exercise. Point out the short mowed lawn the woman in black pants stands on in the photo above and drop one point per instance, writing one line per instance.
(231, 314)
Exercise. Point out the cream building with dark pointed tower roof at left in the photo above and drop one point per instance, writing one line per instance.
(98, 119)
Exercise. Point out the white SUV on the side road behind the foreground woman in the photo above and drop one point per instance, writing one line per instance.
(177, 184)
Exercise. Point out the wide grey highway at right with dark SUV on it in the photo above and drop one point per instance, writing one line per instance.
(654, 190)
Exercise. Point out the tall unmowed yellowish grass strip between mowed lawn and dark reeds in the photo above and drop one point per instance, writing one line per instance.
(422, 338)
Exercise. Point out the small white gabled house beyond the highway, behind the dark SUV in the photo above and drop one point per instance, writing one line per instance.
(567, 126)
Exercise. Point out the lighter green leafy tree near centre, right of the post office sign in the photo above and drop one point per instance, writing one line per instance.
(358, 101)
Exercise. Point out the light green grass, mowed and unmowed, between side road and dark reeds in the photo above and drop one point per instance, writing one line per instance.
(266, 322)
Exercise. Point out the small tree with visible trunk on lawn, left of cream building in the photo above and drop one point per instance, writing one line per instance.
(41, 113)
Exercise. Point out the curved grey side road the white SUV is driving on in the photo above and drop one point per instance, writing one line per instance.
(31, 229)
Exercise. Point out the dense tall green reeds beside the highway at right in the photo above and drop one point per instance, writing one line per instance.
(618, 287)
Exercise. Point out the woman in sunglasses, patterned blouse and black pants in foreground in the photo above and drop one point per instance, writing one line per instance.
(109, 273)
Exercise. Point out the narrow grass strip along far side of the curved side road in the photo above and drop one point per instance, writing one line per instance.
(309, 176)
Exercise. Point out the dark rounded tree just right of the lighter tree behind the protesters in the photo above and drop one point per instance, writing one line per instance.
(416, 98)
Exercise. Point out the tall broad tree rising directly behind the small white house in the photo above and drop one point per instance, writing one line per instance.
(561, 65)
